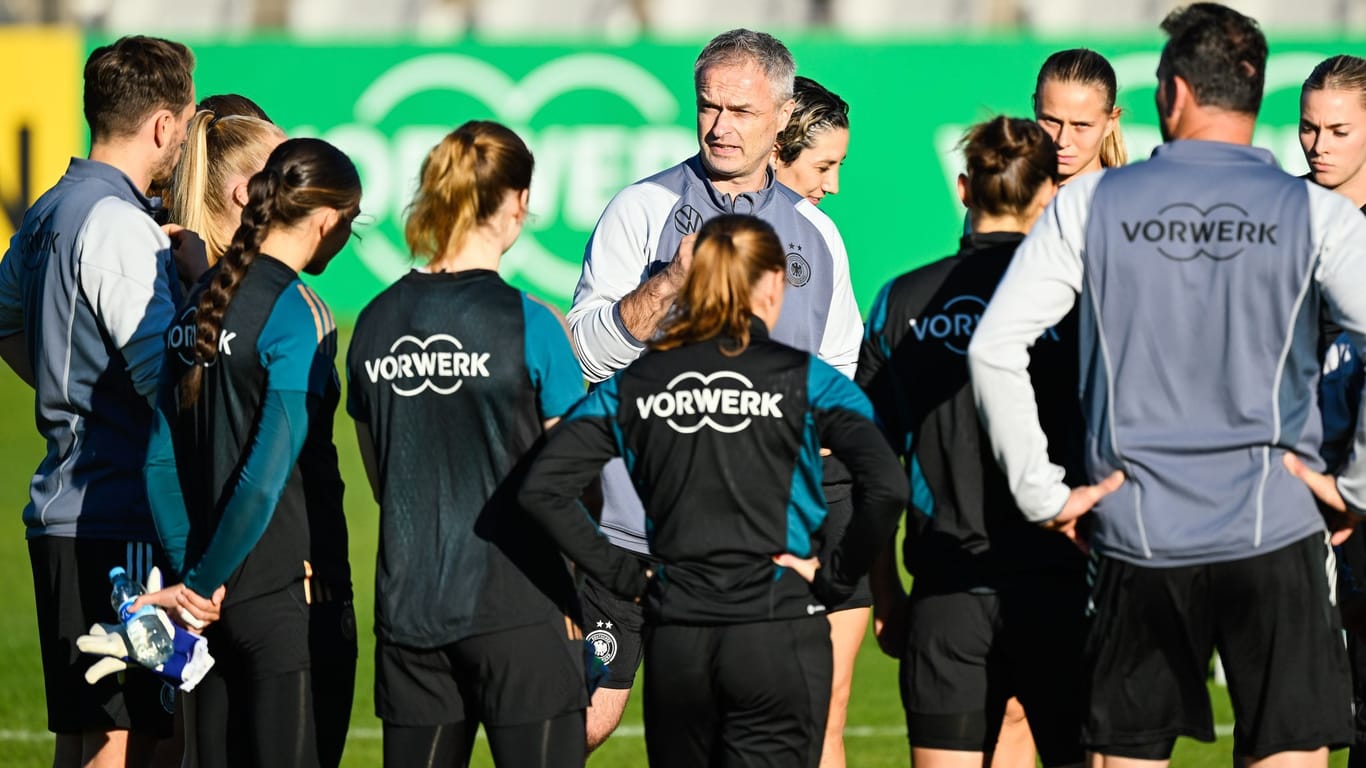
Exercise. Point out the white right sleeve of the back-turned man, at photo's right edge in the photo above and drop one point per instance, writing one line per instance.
(1339, 234)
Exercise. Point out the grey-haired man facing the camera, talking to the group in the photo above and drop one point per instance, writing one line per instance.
(636, 264)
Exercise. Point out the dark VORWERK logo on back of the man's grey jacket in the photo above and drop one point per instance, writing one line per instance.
(1184, 232)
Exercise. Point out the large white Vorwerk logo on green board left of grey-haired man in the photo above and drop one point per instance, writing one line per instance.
(579, 166)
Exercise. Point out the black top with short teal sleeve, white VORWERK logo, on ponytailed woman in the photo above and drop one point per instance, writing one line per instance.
(453, 376)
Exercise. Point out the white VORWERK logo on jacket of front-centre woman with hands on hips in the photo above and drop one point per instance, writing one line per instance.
(691, 402)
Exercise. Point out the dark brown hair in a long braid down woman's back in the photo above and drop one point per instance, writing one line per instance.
(301, 177)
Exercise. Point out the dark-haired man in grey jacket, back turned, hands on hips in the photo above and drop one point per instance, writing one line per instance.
(1200, 277)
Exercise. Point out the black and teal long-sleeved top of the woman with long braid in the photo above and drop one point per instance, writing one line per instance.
(225, 476)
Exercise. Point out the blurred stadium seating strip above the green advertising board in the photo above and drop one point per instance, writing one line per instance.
(445, 20)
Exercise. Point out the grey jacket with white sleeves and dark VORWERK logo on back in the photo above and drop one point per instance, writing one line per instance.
(1200, 277)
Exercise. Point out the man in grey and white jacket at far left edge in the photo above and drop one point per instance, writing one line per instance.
(87, 292)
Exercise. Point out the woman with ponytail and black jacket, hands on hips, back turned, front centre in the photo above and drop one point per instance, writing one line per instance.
(722, 431)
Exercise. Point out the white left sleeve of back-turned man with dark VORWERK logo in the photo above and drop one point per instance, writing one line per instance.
(1039, 289)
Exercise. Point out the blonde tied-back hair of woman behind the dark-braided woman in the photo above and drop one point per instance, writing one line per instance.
(218, 150)
